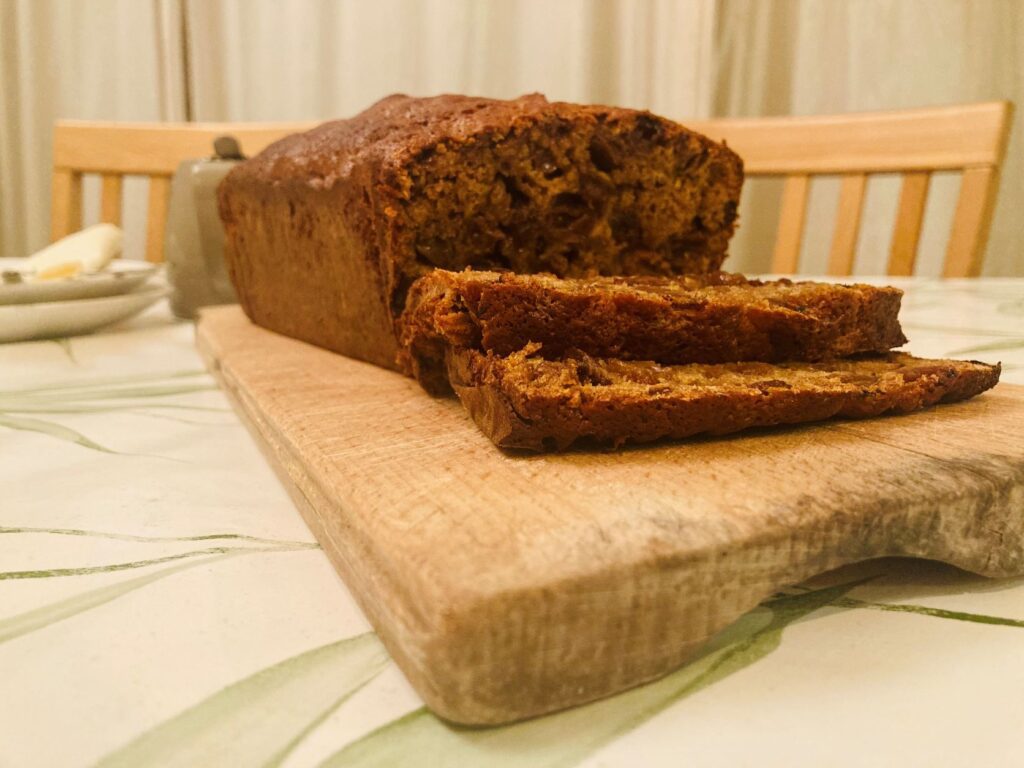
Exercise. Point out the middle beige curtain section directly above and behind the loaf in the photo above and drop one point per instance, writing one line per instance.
(263, 60)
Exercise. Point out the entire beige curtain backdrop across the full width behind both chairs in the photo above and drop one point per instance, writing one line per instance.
(308, 60)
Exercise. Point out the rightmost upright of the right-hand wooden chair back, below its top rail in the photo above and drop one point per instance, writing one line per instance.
(971, 223)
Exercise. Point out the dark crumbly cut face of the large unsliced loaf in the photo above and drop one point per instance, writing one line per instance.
(568, 190)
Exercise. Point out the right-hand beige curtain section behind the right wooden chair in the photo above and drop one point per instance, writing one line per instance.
(785, 57)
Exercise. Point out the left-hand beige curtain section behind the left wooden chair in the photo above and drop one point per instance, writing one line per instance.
(104, 60)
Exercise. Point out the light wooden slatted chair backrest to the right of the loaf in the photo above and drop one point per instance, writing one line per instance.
(970, 139)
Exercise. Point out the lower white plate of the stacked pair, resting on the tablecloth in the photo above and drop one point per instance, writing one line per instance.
(44, 321)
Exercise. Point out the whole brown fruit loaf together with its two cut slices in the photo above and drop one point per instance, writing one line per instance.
(557, 265)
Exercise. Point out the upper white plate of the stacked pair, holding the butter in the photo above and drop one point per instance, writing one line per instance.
(119, 277)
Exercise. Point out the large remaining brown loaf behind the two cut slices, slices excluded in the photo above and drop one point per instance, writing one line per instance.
(327, 231)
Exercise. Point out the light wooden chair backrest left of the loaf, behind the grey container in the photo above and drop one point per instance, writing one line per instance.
(117, 150)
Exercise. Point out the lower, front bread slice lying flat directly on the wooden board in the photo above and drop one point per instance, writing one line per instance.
(526, 402)
